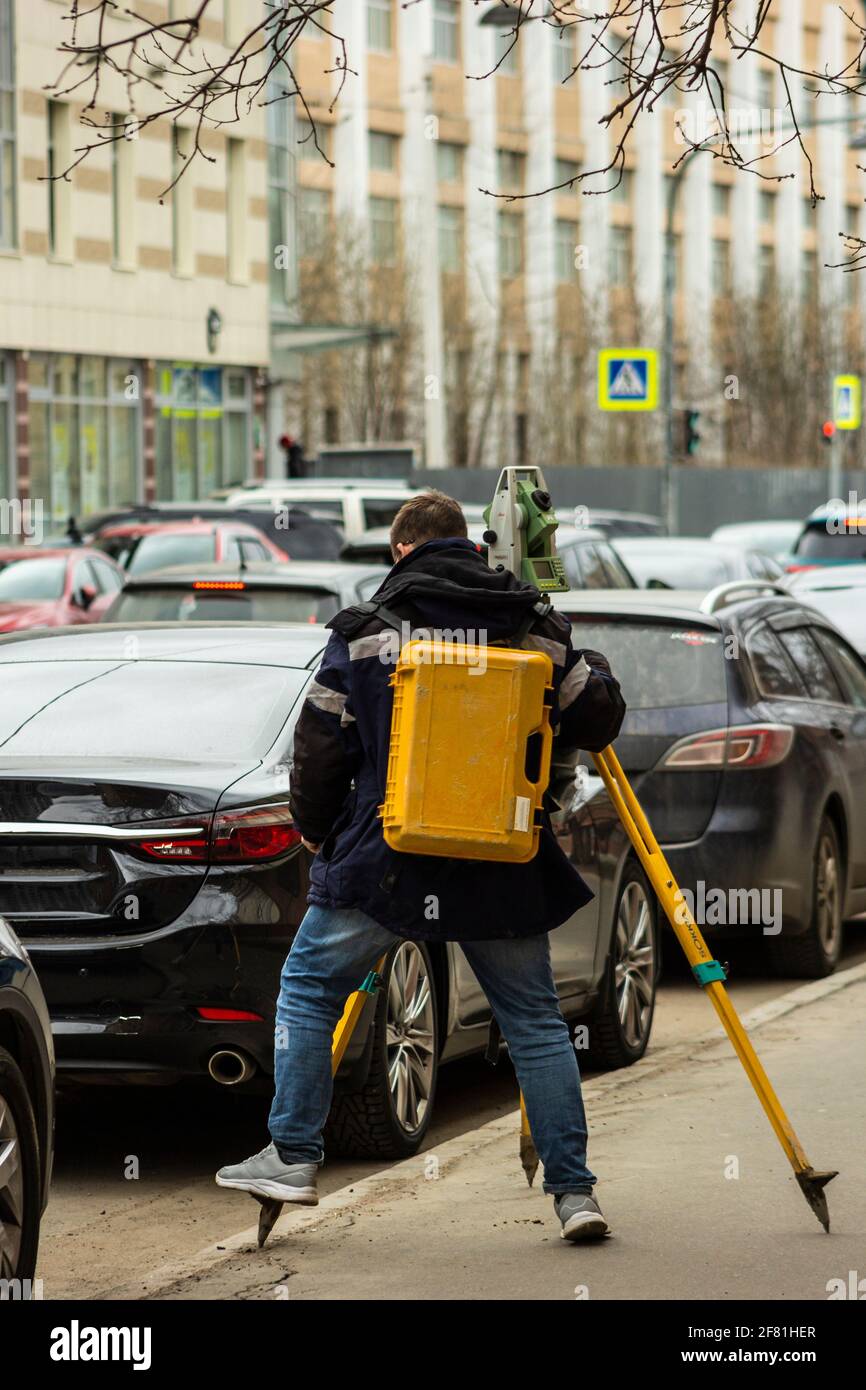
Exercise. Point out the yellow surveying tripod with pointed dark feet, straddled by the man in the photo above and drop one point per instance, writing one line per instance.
(707, 971)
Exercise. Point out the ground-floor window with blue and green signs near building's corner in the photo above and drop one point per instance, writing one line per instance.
(204, 429)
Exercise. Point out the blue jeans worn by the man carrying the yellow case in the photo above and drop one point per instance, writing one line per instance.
(330, 957)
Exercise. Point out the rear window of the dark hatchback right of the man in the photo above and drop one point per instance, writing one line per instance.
(658, 665)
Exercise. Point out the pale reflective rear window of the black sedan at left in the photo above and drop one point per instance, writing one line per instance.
(188, 711)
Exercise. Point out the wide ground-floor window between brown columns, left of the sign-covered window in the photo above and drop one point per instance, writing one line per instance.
(84, 430)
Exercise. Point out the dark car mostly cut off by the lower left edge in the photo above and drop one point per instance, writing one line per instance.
(27, 1113)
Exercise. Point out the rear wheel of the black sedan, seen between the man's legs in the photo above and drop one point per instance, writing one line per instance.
(391, 1114)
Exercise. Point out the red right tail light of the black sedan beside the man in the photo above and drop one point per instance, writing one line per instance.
(248, 836)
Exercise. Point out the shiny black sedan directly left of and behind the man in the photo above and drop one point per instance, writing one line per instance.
(154, 871)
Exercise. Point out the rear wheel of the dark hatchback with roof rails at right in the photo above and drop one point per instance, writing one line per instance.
(815, 954)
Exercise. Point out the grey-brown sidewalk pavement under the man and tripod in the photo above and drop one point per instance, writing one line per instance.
(698, 1193)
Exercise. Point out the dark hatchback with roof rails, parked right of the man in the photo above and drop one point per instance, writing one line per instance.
(746, 743)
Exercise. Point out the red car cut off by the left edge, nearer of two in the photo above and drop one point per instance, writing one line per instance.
(54, 589)
